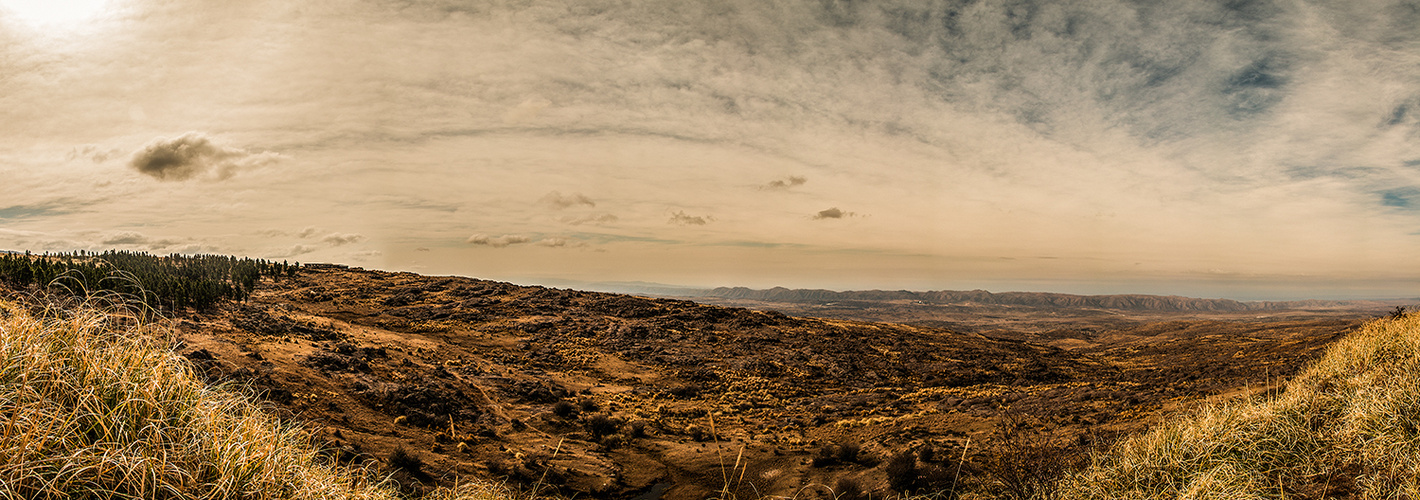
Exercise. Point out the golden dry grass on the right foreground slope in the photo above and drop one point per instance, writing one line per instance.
(1348, 427)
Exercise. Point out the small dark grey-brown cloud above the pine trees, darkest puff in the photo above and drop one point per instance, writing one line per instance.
(192, 156)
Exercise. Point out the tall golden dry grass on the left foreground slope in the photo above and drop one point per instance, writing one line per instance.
(96, 406)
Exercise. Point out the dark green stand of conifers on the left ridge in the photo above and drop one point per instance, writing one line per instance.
(173, 283)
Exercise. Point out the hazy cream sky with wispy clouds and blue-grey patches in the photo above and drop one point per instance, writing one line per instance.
(1243, 150)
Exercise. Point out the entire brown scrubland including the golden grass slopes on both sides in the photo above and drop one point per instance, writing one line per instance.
(479, 380)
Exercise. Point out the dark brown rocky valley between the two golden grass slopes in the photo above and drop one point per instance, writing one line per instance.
(604, 396)
